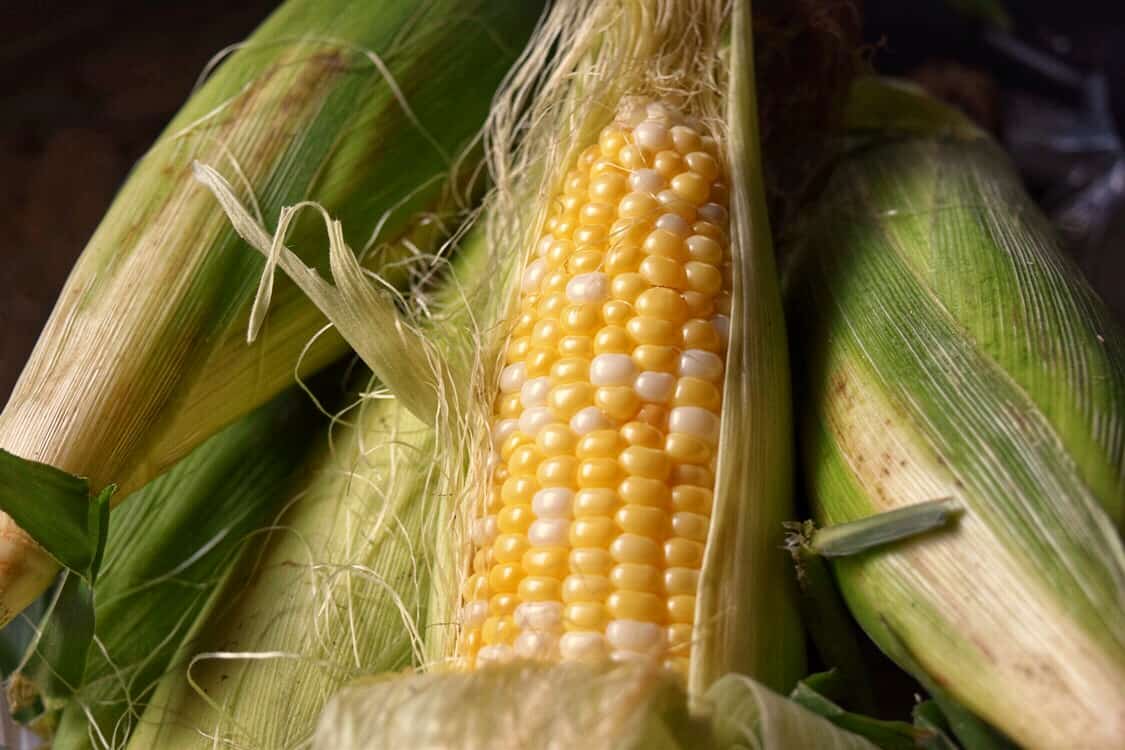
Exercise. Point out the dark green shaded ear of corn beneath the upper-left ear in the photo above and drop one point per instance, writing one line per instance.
(149, 593)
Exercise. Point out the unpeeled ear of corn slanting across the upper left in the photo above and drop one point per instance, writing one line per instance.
(344, 103)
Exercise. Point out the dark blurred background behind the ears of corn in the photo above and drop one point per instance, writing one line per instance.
(86, 88)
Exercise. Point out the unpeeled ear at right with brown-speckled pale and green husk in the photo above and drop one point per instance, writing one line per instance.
(983, 369)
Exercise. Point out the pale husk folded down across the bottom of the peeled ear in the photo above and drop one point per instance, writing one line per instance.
(569, 708)
